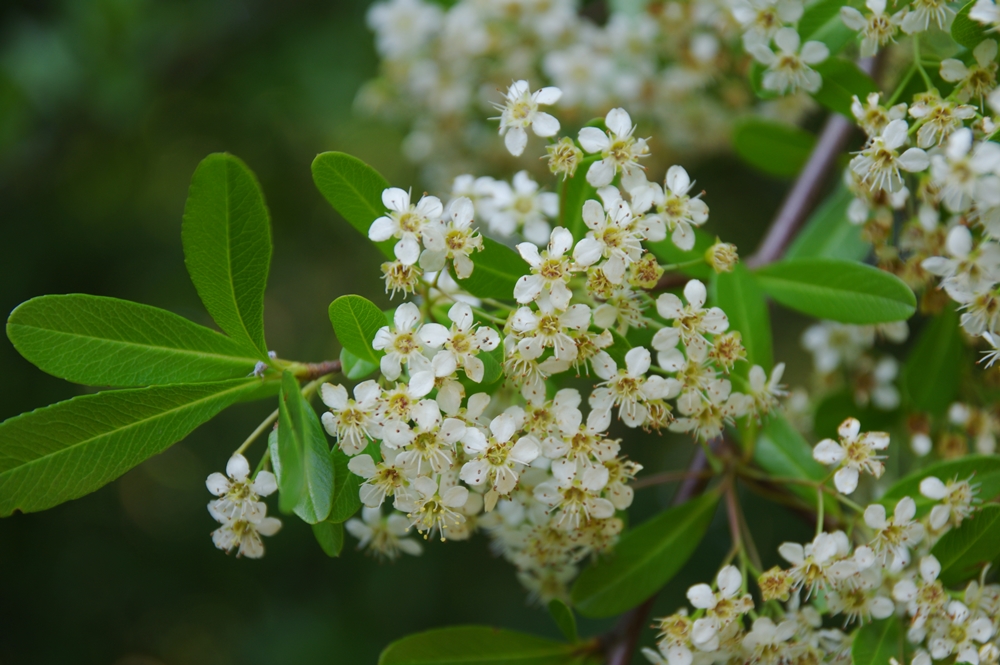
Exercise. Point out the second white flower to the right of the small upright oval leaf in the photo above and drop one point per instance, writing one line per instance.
(459, 345)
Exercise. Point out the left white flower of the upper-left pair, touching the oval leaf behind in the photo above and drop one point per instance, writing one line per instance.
(411, 224)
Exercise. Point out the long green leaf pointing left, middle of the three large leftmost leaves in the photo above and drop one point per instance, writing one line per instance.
(109, 342)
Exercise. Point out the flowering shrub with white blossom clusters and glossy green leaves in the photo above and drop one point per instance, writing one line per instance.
(539, 322)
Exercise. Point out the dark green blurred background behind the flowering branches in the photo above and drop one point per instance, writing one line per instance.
(106, 107)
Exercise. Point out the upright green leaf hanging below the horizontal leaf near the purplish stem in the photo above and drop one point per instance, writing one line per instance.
(739, 296)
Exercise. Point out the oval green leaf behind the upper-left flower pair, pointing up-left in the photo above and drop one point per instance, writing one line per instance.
(354, 189)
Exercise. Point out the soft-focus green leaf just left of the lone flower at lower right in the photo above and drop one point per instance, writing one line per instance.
(782, 452)
